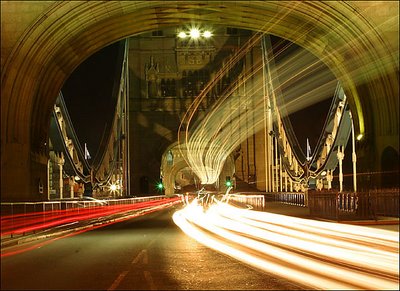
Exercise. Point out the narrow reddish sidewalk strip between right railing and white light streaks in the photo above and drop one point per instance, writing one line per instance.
(388, 223)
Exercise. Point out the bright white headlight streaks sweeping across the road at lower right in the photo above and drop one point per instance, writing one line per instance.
(316, 254)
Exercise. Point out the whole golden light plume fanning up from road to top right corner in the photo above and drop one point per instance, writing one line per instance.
(238, 112)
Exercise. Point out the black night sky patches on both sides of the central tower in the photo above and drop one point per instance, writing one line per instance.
(87, 95)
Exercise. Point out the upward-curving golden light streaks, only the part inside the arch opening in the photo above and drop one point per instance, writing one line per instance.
(236, 116)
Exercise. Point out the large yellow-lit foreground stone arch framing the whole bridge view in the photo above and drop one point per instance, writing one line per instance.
(54, 40)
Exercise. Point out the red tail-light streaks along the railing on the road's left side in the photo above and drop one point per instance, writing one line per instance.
(26, 218)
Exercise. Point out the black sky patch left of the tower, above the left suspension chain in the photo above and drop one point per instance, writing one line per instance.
(87, 94)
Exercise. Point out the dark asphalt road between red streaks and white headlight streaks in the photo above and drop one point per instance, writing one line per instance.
(143, 253)
